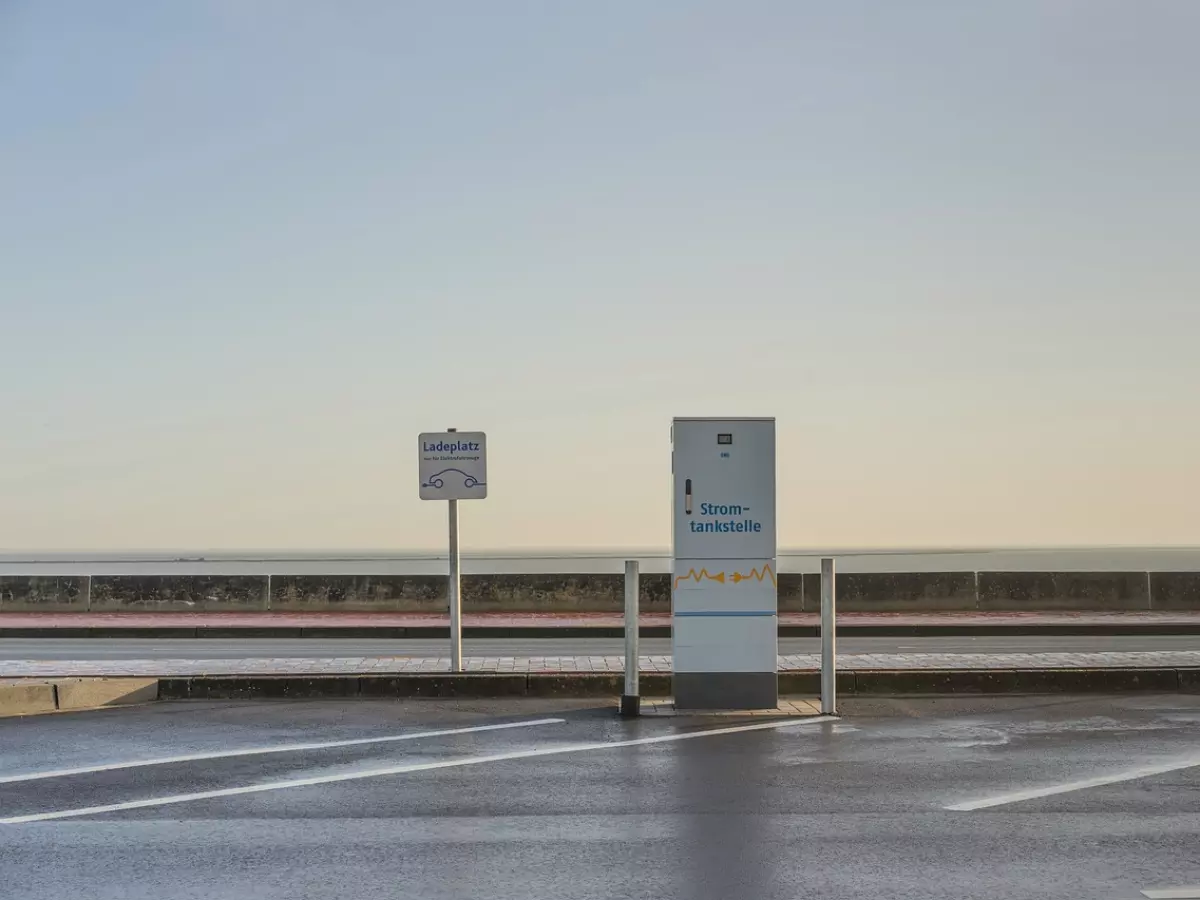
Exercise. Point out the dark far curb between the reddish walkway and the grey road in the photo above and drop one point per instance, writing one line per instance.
(226, 633)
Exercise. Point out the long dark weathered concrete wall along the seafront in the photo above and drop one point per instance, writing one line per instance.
(913, 592)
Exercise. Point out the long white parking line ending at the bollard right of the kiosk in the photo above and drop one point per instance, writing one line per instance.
(400, 771)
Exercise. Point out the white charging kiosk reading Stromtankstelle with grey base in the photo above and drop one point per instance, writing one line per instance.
(724, 599)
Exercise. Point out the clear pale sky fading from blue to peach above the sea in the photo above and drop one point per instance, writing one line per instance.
(250, 249)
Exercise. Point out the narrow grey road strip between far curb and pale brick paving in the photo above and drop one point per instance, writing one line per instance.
(250, 649)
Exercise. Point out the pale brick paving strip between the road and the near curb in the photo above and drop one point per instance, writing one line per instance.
(412, 665)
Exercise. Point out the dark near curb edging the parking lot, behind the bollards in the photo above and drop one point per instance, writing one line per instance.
(611, 685)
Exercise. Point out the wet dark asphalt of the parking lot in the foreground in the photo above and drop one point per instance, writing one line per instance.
(831, 809)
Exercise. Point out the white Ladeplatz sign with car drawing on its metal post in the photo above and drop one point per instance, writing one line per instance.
(454, 467)
